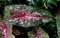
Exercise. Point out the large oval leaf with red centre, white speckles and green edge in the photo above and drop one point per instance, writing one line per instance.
(26, 16)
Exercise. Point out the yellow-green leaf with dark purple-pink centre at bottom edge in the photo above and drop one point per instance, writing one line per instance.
(37, 32)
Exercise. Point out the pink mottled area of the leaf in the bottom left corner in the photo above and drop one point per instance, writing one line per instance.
(4, 30)
